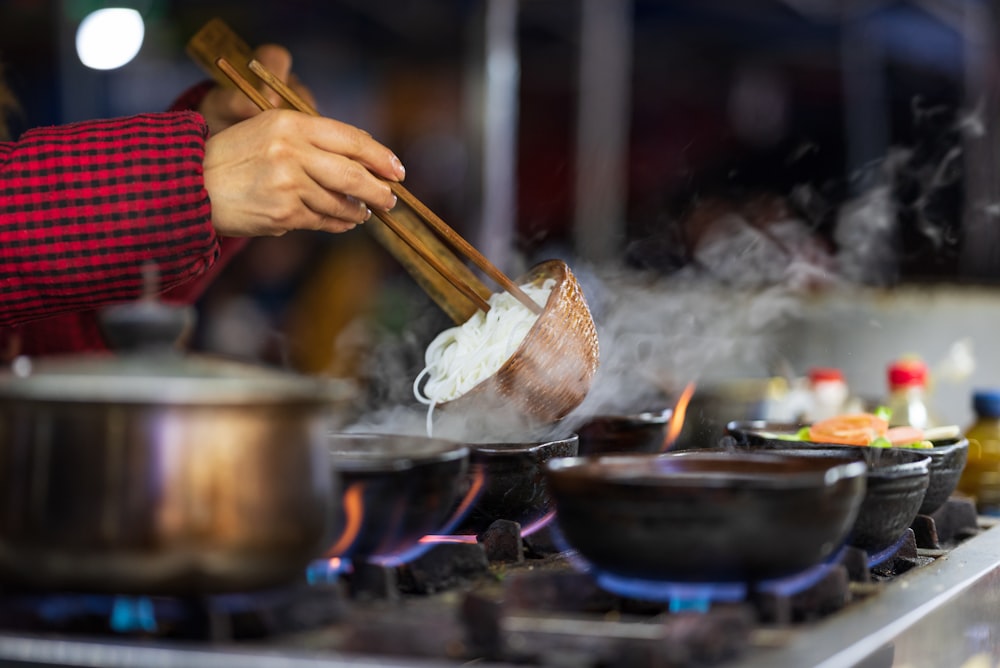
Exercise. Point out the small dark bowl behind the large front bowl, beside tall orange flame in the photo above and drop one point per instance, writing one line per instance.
(623, 434)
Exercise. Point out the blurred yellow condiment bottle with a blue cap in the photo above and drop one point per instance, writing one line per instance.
(981, 476)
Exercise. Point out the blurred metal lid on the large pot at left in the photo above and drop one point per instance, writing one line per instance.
(163, 378)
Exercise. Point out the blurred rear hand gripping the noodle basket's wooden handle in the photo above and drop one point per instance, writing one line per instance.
(224, 106)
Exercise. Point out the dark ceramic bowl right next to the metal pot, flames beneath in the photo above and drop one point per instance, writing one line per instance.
(395, 490)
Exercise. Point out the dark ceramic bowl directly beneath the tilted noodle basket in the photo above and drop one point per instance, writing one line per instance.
(513, 482)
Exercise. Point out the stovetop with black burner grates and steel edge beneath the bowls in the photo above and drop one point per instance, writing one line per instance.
(943, 612)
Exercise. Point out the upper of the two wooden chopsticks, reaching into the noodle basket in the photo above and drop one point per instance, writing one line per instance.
(443, 229)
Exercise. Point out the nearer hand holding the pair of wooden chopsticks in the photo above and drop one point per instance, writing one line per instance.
(284, 170)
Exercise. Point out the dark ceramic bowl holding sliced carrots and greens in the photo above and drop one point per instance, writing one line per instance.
(948, 456)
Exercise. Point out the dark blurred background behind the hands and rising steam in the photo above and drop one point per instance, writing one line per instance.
(829, 166)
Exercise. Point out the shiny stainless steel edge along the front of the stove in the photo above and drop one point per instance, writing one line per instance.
(944, 614)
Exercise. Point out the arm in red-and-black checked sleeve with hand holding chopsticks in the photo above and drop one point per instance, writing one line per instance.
(283, 170)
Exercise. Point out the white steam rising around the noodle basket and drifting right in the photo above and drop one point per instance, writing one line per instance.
(744, 277)
